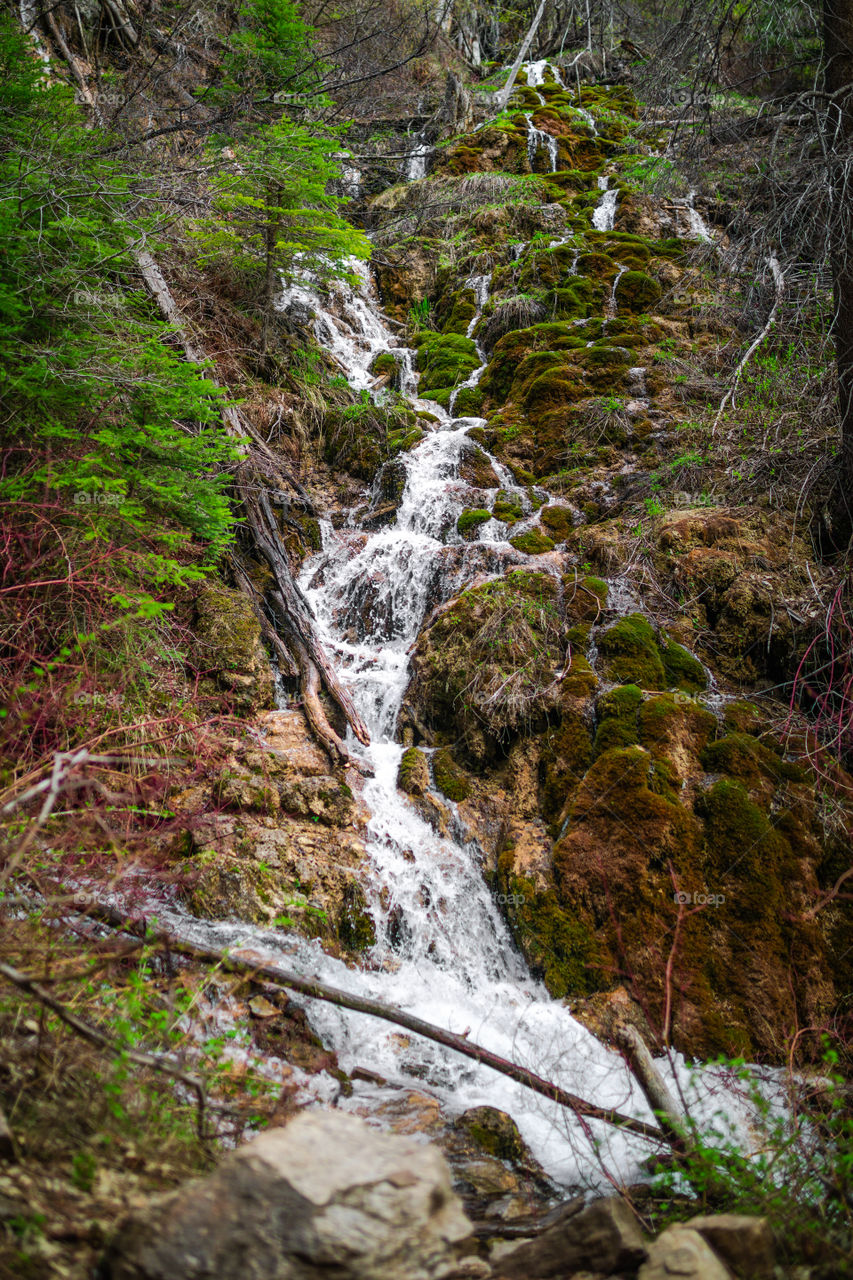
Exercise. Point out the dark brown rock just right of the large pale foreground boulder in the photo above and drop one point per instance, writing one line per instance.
(603, 1237)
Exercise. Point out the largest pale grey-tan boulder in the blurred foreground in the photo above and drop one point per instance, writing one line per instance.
(325, 1197)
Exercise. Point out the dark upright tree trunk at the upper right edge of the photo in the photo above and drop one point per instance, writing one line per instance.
(838, 53)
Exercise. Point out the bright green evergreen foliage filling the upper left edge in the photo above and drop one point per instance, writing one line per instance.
(99, 412)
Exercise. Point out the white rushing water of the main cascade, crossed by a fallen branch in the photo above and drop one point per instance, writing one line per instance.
(443, 950)
